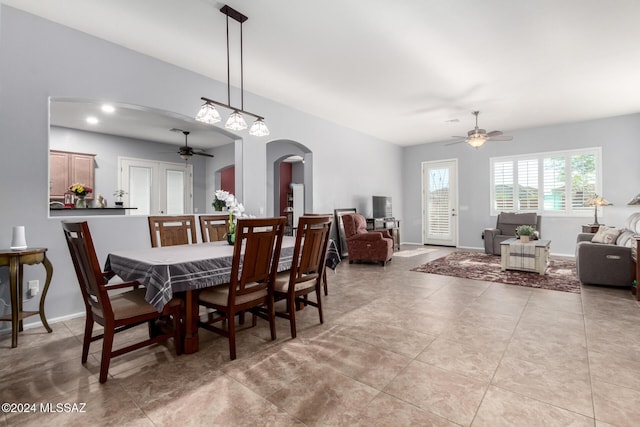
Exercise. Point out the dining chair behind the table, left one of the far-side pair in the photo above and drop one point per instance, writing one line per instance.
(172, 230)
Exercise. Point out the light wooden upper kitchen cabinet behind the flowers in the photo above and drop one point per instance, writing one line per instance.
(68, 168)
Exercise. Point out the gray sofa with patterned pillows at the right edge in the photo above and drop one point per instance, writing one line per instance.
(605, 264)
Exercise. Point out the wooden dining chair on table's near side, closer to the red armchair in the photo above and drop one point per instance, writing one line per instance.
(307, 268)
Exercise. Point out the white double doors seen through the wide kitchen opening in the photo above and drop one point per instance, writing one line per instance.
(157, 188)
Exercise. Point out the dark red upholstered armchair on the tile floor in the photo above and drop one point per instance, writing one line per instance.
(365, 245)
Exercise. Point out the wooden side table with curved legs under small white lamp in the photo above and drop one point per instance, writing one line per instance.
(15, 260)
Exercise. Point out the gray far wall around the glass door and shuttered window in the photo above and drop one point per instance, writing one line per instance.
(618, 137)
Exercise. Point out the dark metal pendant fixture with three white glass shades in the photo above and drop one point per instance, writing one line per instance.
(208, 113)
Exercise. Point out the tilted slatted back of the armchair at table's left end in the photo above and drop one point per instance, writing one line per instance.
(86, 265)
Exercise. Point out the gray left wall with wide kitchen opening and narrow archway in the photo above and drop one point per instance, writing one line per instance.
(40, 59)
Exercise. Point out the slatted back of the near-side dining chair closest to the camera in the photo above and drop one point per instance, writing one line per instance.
(261, 242)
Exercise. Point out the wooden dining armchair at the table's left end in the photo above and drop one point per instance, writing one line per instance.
(115, 312)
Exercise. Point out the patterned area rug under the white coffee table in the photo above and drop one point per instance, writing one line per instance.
(560, 275)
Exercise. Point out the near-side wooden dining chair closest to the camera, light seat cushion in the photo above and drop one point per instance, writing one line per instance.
(256, 255)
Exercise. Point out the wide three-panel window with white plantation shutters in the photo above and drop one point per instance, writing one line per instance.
(555, 183)
